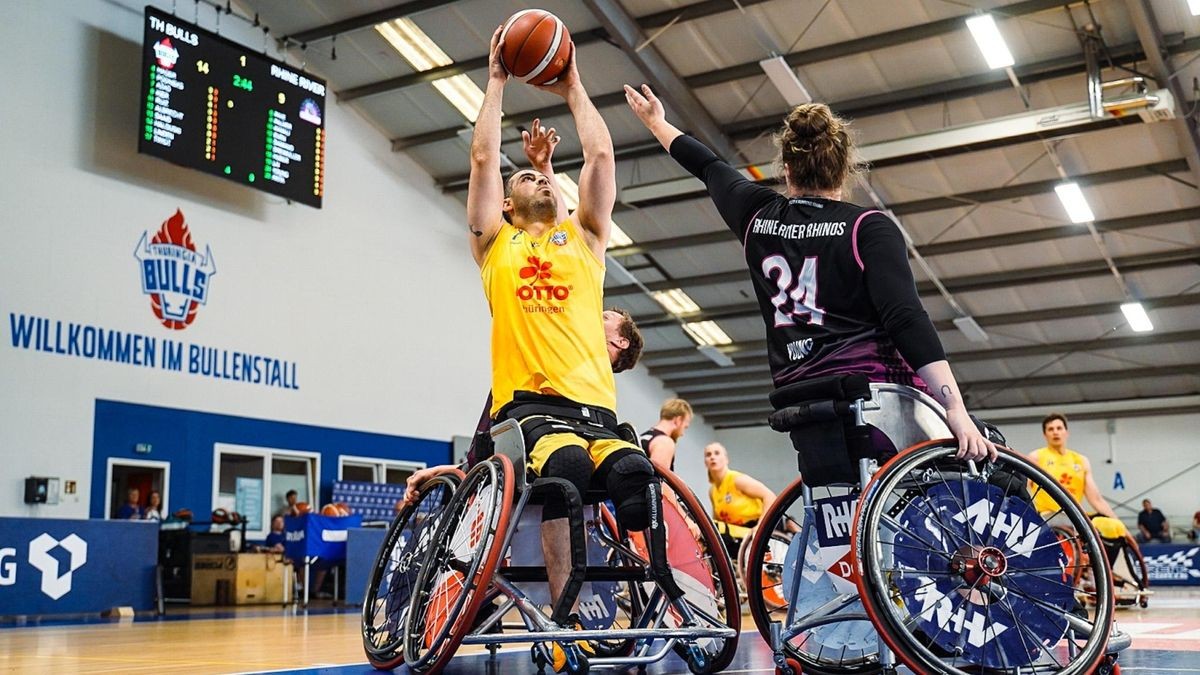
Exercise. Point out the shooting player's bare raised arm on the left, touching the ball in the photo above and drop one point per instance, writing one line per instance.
(485, 190)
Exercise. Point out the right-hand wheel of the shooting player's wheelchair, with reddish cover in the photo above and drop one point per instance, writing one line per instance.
(710, 559)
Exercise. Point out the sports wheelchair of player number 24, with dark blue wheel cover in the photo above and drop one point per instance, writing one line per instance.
(917, 558)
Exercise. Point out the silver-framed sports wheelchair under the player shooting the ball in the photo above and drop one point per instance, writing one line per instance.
(472, 574)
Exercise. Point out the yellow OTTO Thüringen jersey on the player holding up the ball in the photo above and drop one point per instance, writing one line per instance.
(547, 297)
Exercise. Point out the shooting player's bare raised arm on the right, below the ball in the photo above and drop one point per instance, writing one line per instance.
(598, 178)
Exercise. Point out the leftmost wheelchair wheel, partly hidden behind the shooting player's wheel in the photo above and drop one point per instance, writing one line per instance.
(395, 571)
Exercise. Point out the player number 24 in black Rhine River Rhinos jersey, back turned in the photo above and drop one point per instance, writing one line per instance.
(832, 278)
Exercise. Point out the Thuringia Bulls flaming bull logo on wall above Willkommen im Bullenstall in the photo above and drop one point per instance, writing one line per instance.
(173, 273)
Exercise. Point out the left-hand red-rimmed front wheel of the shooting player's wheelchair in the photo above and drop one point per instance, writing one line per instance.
(459, 568)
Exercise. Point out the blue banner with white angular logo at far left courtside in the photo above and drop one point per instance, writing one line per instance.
(51, 566)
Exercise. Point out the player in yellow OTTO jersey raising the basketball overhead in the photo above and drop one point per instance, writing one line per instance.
(544, 279)
